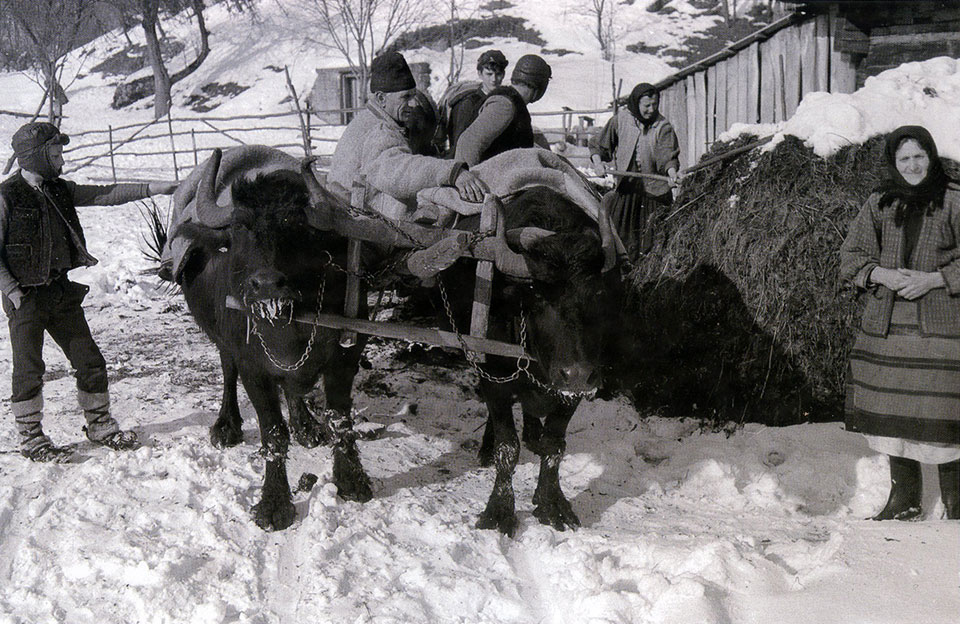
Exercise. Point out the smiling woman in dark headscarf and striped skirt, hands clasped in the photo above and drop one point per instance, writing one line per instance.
(903, 379)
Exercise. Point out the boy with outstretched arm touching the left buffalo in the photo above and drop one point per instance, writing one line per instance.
(40, 241)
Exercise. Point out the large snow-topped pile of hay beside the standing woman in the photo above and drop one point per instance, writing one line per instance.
(738, 312)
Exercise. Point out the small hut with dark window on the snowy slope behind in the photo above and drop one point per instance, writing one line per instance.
(336, 93)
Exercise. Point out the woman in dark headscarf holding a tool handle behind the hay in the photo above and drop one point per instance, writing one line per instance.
(638, 139)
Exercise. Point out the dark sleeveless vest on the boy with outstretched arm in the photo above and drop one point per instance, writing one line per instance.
(29, 245)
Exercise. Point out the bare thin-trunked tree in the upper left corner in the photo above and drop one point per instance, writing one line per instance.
(38, 34)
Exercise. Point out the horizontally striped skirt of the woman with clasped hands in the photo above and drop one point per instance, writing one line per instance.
(905, 385)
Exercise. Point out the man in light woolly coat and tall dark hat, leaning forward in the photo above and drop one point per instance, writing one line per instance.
(375, 146)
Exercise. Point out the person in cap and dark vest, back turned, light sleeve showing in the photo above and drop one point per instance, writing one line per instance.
(503, 122)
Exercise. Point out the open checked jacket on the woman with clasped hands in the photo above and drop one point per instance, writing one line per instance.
(875, 240)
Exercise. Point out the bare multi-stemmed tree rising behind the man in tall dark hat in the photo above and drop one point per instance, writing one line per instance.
(361, 29)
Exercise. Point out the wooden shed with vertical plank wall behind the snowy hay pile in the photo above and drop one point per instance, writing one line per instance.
(818, 45)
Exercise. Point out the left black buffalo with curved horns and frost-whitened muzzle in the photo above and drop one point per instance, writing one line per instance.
(270, 258)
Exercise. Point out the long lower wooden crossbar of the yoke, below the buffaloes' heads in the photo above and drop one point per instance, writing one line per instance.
(399, 331)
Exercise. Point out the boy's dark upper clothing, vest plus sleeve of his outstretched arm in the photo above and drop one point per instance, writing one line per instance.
(27, 225)
